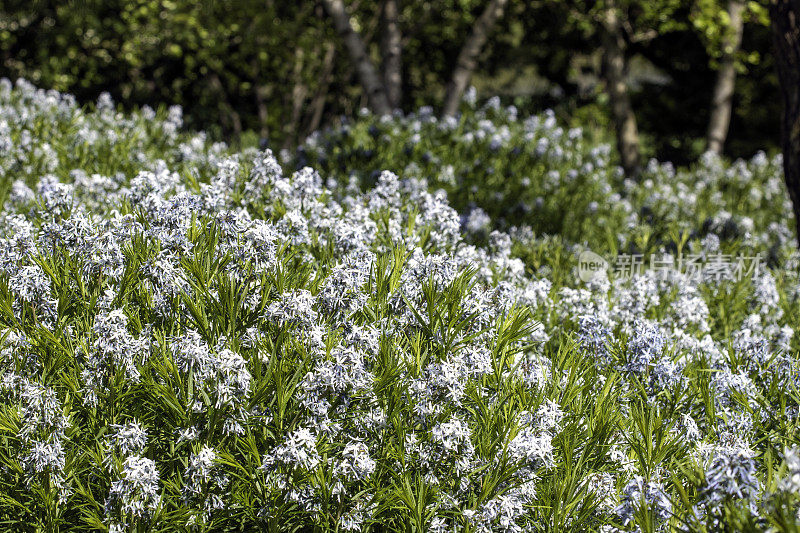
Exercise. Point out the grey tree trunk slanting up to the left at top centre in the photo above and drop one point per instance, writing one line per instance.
(367, 75)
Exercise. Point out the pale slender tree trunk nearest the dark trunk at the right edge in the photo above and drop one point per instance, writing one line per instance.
(722, 102)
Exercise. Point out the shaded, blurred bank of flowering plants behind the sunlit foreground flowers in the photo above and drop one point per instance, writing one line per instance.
(503, 170)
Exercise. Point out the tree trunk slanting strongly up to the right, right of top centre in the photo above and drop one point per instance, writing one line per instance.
(467, 60)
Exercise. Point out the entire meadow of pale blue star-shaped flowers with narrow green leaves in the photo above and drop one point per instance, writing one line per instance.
(200, 340)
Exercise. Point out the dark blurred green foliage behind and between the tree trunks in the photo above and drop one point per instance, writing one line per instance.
(270, 72)
